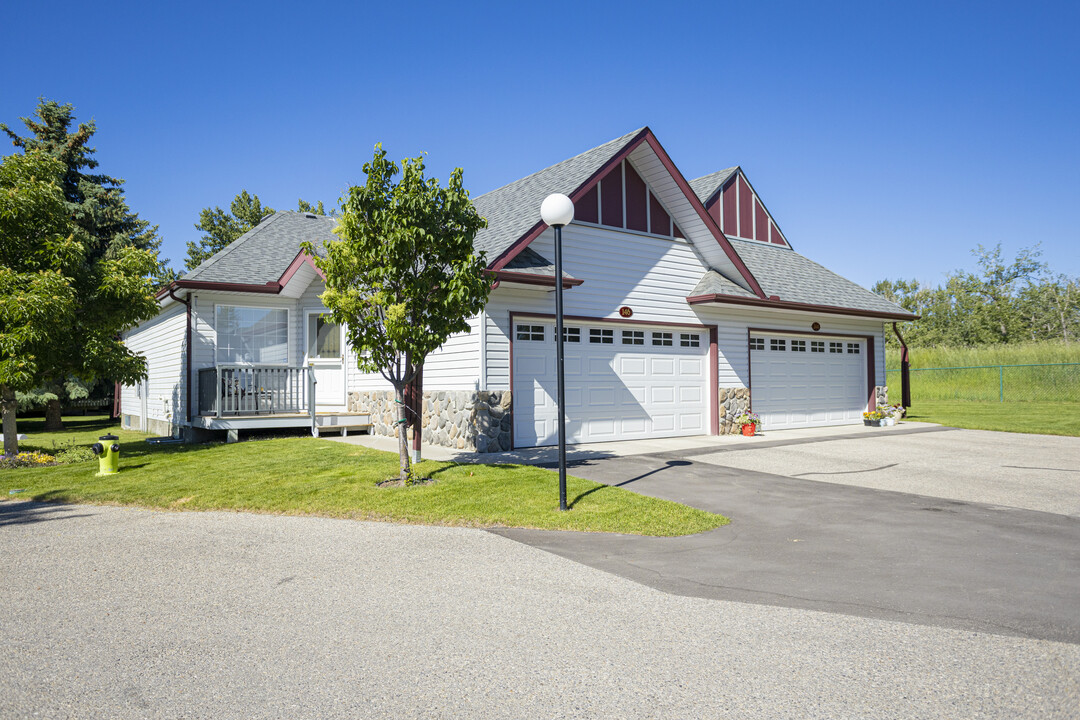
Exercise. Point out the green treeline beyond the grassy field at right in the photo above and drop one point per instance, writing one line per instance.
(1001, 303)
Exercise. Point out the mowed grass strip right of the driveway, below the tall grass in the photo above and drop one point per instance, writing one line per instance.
(1039, 418)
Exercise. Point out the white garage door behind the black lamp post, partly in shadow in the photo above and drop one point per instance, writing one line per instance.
(623, 383)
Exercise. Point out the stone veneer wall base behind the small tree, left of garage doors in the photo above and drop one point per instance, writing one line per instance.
(466, 420)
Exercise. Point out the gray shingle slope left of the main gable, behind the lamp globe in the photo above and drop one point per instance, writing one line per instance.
(512, 210)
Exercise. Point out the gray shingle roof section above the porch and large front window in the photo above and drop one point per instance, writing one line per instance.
(264, 253)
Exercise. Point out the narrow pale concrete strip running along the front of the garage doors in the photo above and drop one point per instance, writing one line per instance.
(695, 445)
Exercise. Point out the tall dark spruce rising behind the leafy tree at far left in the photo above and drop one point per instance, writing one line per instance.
(94, 201)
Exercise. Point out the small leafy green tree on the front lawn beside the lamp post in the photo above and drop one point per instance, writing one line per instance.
(404, 277)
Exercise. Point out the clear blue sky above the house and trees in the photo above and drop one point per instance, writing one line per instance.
(888, 140)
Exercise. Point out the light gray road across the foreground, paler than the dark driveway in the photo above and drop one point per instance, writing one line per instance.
(126, 614)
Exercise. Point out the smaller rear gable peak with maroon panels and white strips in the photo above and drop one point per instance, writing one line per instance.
(737, 209)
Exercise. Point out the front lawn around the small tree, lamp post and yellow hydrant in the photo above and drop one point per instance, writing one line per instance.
(309, 477)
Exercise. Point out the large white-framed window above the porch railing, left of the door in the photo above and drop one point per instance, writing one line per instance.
(252, 335)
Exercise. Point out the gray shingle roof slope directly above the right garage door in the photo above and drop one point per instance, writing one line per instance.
(796, 279)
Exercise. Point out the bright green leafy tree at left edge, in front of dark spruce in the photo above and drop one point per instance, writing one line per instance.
(62, 308)
